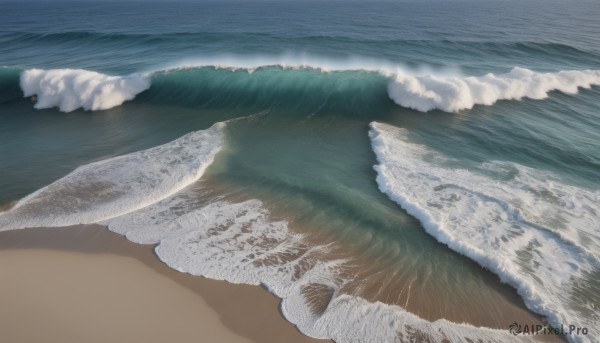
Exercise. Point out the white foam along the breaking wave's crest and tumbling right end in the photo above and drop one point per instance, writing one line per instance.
(423, 89)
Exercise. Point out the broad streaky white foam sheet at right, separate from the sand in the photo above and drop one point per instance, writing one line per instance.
(537, 234)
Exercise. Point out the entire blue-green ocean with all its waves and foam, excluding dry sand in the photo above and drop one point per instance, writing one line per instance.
(394, 171)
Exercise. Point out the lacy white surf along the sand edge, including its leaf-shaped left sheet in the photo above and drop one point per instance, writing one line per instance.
(151, 197)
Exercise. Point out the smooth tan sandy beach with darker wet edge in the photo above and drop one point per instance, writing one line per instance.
(87, 284)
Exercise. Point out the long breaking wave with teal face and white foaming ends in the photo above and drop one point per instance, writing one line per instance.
(347, 85)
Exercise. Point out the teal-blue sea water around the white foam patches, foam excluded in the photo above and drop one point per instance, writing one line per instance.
(310, 81)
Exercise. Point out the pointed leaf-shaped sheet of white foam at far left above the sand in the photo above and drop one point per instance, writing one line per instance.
(118, 185)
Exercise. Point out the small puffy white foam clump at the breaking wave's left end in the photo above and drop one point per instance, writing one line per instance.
(70, 89)
